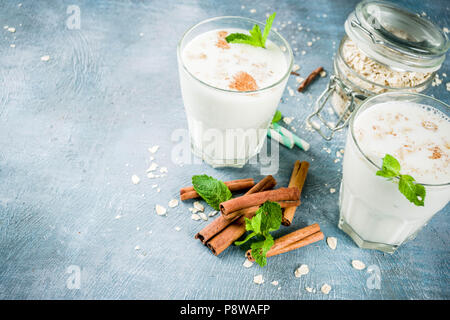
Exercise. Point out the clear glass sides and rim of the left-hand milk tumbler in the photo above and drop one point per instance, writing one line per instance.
(227, 128)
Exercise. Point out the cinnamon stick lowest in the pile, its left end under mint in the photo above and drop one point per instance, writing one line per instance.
(293, 240)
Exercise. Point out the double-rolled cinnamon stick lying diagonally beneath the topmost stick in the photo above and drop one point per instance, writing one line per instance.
(221, 233)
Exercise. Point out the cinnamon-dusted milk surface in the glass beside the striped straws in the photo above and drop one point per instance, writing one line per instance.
(233, 66)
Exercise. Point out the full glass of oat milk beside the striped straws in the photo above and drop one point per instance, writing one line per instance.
(230, 90)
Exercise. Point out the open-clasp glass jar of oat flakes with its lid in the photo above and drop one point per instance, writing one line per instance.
(386, 48)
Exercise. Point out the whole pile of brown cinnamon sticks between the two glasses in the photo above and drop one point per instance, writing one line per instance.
(230, 225)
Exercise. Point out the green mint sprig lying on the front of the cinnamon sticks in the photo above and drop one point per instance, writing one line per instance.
(265, 220)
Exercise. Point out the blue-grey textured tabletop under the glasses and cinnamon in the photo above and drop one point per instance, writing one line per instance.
(74, 129)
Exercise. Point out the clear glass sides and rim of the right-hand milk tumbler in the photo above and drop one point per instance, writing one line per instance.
(373, 212)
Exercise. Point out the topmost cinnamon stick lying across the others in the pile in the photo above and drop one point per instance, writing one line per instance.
(286, 197)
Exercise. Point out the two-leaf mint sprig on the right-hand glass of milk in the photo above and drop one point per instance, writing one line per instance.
(413, 191)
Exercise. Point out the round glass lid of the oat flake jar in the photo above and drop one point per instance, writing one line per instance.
(397, 38)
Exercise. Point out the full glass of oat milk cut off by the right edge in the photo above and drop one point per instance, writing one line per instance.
(413, 128)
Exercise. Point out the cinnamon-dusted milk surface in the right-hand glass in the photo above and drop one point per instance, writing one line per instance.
(416, 135)
